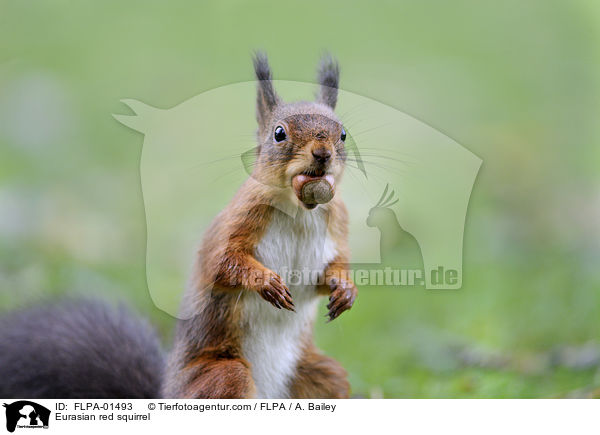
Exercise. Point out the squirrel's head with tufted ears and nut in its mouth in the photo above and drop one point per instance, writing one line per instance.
(301, 143)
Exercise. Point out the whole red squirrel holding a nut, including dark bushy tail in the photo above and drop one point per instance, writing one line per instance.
(249, 333)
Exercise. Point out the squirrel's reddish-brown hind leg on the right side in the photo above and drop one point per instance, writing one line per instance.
(319, 377)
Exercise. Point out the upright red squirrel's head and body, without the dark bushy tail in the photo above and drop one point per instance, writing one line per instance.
(251, 333)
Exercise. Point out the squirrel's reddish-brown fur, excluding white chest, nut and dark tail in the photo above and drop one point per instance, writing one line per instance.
(207, 360)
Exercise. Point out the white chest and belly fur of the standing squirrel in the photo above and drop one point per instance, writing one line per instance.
(273, 338)
